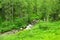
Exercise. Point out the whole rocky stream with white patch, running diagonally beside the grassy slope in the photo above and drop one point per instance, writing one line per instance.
(20, 29)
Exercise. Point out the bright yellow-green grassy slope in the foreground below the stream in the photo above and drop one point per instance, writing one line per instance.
(39, 31)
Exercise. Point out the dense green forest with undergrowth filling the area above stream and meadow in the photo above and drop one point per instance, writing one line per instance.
(18, 13)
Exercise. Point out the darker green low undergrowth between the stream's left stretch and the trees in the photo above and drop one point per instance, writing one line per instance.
(7, 25)
